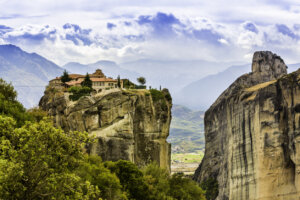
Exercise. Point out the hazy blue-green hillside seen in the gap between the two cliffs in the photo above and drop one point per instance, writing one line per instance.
(187, 130)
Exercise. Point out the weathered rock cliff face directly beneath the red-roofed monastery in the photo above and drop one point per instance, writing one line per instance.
(127, 124)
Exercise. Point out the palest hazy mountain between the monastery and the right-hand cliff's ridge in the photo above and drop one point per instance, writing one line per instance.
(173, 74)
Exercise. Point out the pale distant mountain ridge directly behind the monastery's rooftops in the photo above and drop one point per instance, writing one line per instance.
(109, 68)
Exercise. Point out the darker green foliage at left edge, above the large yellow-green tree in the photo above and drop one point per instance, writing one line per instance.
(10, 106)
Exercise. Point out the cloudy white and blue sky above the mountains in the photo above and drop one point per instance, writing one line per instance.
(126, 30)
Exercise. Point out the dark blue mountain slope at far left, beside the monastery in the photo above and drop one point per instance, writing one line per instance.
(28, 72)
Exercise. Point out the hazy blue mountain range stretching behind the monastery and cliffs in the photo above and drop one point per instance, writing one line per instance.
(29, 73)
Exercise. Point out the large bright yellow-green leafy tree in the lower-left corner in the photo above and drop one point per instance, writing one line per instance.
(38, 161)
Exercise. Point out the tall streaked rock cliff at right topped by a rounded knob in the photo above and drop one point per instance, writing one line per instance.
(252, 135)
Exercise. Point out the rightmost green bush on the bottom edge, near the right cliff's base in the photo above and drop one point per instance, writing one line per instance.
(185, 189)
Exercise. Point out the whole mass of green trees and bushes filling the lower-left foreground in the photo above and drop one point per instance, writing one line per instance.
(39, 161)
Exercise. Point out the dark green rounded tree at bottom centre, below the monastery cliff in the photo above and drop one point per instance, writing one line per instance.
(131, 179)
